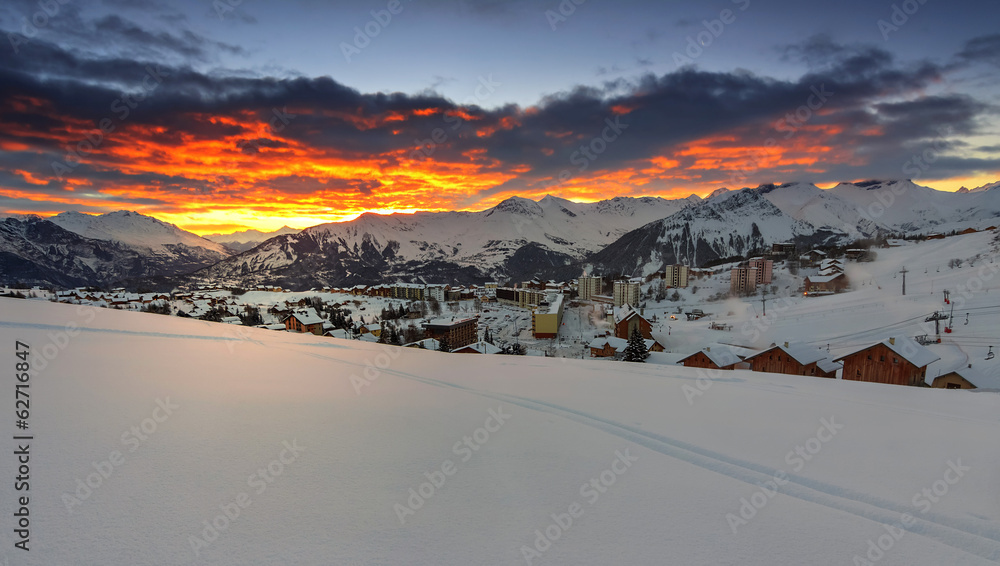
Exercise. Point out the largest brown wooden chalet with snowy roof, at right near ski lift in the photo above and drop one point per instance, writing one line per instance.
(896, 361)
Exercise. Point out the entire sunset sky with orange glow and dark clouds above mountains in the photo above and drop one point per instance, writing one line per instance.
(222, 115)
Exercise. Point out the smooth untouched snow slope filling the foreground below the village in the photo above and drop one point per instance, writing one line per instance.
(221, 448)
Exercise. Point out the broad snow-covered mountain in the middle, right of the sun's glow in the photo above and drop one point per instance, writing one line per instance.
(516, 238)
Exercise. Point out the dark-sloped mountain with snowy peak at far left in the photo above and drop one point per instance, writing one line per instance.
(73, 249)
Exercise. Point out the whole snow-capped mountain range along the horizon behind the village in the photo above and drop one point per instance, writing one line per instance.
(517, 239)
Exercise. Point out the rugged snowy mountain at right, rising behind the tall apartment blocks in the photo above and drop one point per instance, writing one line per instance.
(738, 223)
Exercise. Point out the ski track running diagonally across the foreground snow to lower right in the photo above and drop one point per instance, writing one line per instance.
(977, 537)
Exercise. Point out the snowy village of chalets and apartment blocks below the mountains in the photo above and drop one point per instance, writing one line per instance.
(696, 317)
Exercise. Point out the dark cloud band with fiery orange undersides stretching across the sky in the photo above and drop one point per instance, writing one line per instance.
(868, 91)
